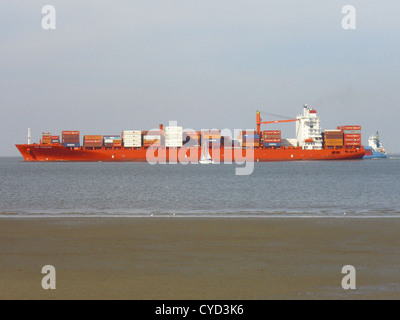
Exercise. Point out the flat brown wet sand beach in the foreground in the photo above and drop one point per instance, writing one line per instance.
(190, 258)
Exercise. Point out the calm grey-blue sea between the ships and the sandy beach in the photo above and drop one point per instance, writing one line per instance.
(365, 188)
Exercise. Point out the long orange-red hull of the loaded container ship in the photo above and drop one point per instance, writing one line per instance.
(56, 152)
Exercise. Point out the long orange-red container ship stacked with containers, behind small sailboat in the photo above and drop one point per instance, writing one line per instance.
(172, 144)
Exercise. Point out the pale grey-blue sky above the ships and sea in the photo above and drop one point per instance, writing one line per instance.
(117, 65)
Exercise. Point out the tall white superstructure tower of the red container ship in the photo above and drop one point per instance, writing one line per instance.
(308, 130)
